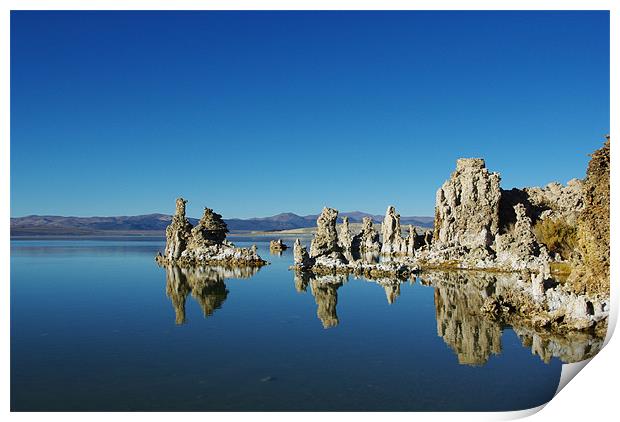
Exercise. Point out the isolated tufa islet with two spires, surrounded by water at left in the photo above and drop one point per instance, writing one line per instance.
(204, 244)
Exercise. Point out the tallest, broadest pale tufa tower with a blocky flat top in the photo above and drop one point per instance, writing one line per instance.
(467, 207)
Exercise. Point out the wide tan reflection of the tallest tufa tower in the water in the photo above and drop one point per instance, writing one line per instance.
(457, 303)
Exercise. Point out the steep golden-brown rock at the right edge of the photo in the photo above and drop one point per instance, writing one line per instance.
(591, 274)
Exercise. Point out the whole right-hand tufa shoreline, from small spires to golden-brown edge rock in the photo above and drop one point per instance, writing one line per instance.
(479, 226)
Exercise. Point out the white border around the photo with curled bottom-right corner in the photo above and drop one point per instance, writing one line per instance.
(589, 395)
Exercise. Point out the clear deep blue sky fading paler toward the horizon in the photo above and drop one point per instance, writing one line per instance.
(257, 113)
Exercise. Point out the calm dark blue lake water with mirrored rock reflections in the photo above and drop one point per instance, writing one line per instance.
(97, 325)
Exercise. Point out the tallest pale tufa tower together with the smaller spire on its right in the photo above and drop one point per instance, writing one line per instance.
(471, 210)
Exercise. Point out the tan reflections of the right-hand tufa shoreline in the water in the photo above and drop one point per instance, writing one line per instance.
(459, 296)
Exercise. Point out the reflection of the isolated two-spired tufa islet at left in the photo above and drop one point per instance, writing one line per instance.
(206, 285)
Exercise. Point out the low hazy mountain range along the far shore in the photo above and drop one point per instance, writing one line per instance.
(155, 224)
